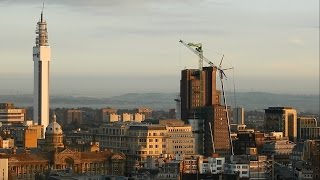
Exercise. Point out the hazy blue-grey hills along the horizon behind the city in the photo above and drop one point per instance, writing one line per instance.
(248, 100)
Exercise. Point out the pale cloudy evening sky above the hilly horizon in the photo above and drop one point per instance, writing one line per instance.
(106, 48)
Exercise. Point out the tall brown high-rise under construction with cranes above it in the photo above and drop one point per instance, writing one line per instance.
(201, 106)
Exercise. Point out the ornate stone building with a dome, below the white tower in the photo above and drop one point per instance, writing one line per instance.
(54, 155)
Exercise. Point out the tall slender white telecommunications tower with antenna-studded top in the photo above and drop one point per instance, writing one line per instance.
(41, 58)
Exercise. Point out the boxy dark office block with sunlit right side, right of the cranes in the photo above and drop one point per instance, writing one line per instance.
(282, 119)
